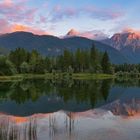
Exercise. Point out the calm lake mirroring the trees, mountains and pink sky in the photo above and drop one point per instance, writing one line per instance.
(70, 110)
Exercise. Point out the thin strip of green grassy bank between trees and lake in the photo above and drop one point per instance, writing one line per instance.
(20, 77)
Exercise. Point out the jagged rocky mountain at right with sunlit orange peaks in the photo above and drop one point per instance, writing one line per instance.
(128, 44)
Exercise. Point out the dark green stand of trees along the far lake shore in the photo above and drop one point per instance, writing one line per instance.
(22, 61)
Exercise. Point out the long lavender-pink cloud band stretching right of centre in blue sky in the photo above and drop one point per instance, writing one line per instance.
(59, 13)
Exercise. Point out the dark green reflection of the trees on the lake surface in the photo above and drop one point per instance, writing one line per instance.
(79, 92)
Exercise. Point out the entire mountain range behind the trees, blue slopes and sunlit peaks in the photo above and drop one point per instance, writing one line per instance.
(121, 47)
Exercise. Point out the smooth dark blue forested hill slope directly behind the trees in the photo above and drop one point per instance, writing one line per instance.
(52, 46)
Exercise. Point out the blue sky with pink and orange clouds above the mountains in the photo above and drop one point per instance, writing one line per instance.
(57, 17)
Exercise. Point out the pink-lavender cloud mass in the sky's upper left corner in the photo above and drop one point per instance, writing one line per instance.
(17, 11)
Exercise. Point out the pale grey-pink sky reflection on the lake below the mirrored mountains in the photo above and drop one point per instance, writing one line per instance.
(60, 125)
